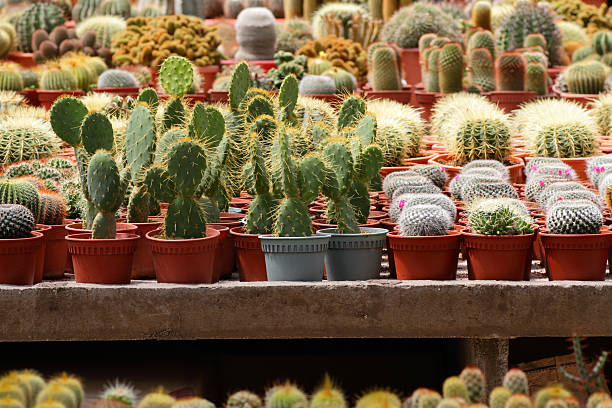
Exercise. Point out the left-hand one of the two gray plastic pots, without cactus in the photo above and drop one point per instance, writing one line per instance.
(294, 258)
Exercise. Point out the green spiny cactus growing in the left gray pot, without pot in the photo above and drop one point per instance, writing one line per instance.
(300, 183)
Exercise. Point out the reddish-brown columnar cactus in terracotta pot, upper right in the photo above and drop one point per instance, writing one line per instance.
(510, 78)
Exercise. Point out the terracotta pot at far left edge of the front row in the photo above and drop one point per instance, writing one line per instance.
(19, 259)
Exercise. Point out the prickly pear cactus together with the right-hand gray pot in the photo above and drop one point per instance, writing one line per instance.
(354, 252)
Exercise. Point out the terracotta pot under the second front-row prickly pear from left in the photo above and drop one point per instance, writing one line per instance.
(184, 260)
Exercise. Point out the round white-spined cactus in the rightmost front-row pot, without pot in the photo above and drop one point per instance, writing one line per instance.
(574, 217)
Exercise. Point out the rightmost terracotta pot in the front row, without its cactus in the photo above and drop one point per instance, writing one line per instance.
(576, 257)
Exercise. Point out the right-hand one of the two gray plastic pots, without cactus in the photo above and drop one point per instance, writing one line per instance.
(354, 256)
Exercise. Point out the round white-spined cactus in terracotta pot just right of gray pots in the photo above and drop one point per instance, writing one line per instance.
(425, 245)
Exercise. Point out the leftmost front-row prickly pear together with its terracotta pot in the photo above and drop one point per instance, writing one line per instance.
(102, 255)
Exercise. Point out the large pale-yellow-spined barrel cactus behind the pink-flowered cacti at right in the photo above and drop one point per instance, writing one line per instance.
(556, 128)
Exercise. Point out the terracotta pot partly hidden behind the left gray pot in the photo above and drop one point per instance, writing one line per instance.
(250, 259)
